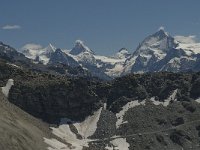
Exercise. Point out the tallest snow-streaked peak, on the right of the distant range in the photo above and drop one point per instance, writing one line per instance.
(152, 49)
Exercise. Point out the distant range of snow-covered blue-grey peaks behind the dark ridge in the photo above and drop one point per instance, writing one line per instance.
(157, 52)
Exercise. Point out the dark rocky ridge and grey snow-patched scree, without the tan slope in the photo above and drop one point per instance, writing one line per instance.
(148, 111)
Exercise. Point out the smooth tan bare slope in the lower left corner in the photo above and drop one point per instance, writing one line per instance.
(19, 130)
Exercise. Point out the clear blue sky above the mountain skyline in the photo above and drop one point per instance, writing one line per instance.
(104, 25)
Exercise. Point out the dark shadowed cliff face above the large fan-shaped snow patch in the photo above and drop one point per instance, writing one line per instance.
(55, 99)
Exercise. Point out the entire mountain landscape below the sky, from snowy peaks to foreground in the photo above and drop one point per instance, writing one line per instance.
(74, 99)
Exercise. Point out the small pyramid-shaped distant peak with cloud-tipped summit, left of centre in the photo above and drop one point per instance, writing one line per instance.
(80, 47)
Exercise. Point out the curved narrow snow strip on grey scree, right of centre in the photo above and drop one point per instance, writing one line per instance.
(125, 108)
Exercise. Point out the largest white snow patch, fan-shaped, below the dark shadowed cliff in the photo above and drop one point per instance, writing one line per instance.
(85, 129)
